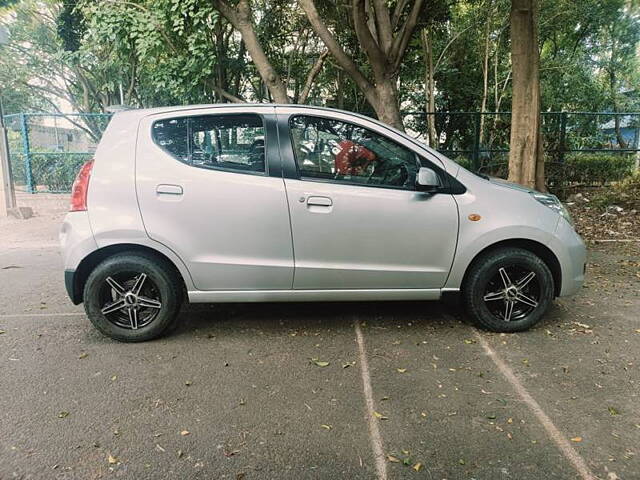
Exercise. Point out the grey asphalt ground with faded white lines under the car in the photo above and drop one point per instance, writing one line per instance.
(372, 391)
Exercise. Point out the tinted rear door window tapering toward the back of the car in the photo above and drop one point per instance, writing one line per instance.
(225, 142)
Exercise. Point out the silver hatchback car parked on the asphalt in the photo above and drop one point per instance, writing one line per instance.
(270, 203)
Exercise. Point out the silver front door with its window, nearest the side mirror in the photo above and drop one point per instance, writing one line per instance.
(357, 221)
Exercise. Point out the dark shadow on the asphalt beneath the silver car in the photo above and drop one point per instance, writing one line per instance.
(275, 319)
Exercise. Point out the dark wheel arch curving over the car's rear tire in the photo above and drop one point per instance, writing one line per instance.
(91, 261)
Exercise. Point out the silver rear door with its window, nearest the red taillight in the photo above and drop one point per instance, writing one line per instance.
(204, 191)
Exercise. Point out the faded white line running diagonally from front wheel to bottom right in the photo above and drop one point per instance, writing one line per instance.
(558, 438)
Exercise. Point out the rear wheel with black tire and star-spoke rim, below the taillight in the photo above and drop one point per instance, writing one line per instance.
(115, 309)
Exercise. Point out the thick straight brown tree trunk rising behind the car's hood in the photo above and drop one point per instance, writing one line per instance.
(526, 158)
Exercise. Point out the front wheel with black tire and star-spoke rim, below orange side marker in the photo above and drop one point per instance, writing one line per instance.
(508, 290)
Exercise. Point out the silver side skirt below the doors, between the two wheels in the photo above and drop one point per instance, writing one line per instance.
(231, 296)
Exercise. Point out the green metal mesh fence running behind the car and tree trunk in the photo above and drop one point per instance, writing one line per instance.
(48, 149)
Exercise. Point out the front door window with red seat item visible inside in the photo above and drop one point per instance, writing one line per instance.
(344, 152)
